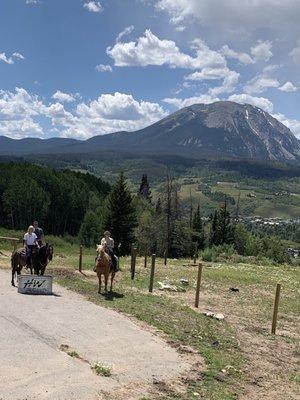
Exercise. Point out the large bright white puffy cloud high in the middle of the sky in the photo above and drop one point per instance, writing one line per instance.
(150, 50)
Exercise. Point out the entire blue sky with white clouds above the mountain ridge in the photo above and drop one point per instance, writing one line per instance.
(80, 68)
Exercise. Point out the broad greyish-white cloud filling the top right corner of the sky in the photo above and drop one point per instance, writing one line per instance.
(250, 15)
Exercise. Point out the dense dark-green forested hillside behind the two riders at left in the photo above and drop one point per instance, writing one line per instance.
(58, 199)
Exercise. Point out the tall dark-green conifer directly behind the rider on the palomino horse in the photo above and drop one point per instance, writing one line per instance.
(120, 216)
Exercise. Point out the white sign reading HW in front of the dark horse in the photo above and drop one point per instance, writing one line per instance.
(35, 284)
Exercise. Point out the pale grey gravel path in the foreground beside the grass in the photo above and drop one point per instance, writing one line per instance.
(33, 366)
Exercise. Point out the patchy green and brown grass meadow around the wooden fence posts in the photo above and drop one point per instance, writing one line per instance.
(242, 359)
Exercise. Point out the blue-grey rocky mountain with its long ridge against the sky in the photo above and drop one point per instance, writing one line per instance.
(222, 129)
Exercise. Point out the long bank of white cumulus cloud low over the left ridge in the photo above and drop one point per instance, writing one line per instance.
(20, 113)
